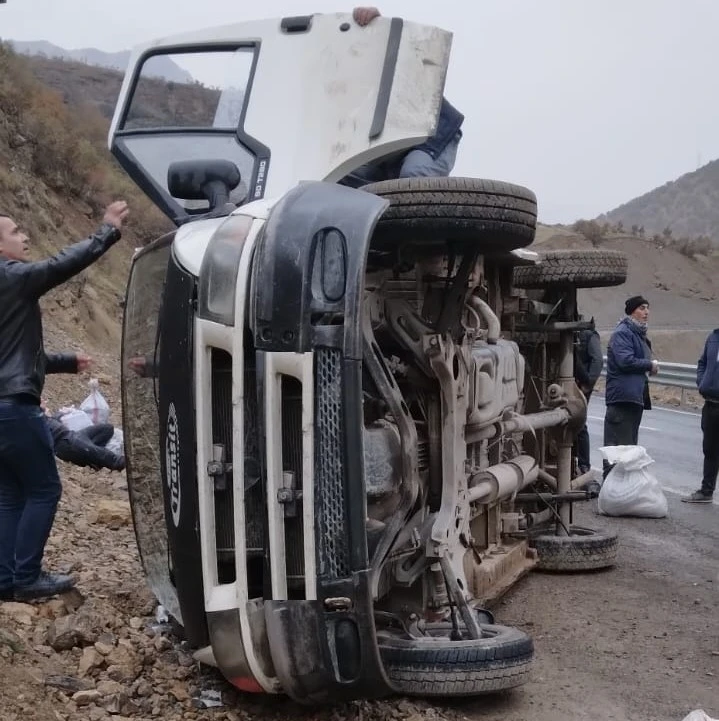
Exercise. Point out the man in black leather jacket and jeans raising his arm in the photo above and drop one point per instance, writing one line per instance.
(29, 482)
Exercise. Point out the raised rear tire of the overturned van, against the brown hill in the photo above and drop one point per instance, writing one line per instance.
(577, 268)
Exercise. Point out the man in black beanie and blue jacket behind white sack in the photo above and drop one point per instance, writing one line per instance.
(629, 360)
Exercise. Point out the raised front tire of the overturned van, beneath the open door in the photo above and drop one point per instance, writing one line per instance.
(496, 216)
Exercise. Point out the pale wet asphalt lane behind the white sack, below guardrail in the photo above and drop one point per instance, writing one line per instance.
(672, 438)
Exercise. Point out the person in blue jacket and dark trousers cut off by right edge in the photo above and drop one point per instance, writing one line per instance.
(708, 385)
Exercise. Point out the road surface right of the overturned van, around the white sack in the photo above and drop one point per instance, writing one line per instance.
(639, 642)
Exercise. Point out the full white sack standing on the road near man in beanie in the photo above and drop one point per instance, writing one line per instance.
(631, 489)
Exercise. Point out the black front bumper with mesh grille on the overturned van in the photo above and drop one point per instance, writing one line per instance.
(308, 278)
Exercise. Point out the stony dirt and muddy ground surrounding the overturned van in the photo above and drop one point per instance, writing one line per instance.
(638, 643)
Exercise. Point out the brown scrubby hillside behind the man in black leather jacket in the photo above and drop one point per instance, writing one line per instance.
(55, 178)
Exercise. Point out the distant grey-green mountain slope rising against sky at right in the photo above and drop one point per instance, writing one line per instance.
(688, 207)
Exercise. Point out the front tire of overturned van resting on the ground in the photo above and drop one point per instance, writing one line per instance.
(439, 666)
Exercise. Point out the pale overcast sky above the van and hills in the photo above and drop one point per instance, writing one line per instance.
(588, 102)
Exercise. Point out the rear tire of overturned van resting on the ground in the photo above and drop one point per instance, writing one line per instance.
(583, 550)
